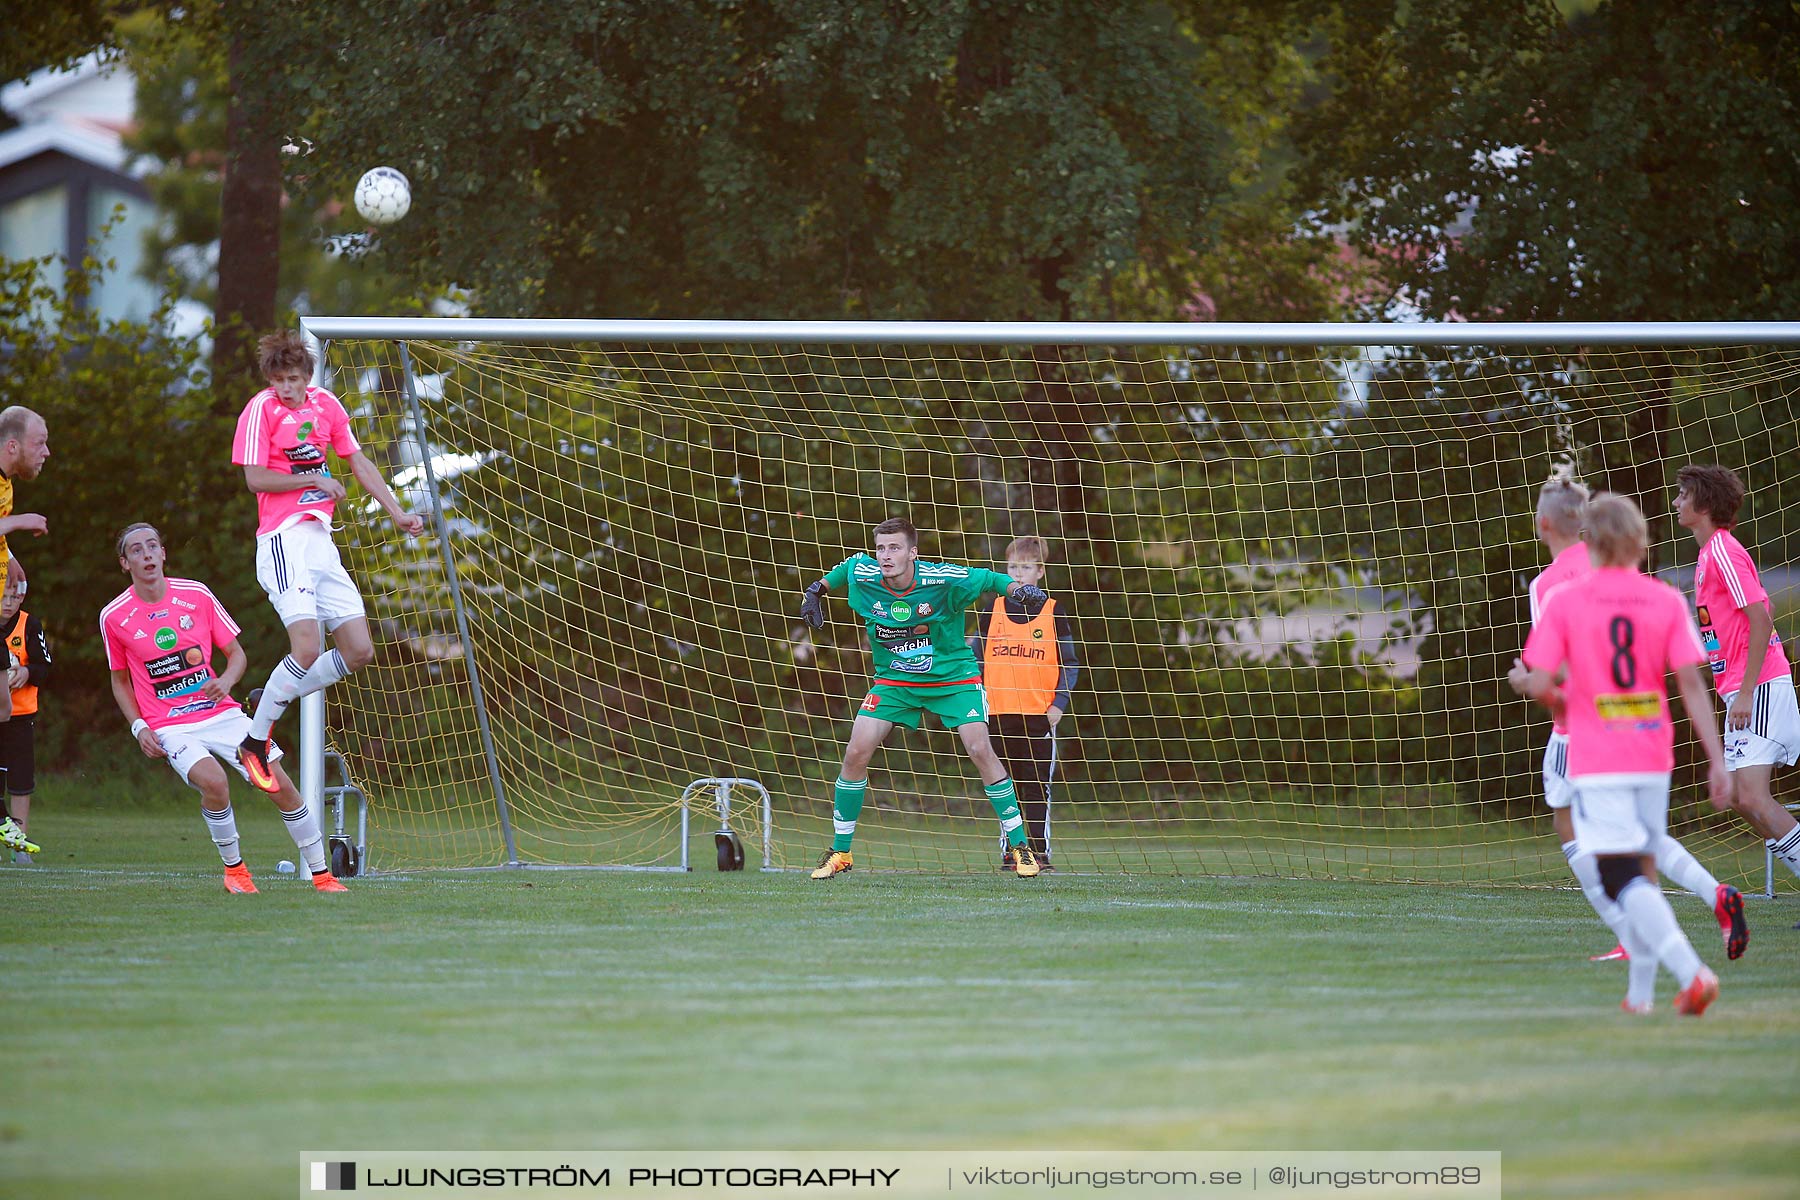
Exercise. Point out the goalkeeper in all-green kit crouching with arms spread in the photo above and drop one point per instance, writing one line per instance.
(922, 665)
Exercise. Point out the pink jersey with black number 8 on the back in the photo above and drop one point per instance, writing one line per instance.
(1621, 634)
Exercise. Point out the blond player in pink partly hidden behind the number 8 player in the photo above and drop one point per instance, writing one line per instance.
(1560, 524)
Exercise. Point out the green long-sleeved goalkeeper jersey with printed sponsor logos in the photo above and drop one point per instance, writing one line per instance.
(917, 636)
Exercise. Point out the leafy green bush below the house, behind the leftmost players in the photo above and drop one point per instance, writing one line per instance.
(132, 438)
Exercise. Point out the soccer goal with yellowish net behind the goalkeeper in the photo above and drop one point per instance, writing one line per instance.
(1295, 578)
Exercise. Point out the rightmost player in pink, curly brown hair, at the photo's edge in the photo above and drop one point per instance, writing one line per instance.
(1761, 719)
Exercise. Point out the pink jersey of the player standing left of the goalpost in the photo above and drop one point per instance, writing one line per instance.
(166, 647)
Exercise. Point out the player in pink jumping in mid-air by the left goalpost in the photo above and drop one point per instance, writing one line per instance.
(283, 436)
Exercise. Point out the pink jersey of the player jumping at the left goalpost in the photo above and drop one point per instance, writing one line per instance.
(292, 442)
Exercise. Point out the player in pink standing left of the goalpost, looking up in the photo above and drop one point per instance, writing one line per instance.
(159, 638)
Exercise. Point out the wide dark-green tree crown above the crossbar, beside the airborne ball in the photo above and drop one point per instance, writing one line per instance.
(811, 159)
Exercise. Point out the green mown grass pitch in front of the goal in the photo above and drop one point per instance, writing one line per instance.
(170, 1041)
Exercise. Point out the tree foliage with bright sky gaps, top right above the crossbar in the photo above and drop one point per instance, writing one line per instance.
(1506, 163)
